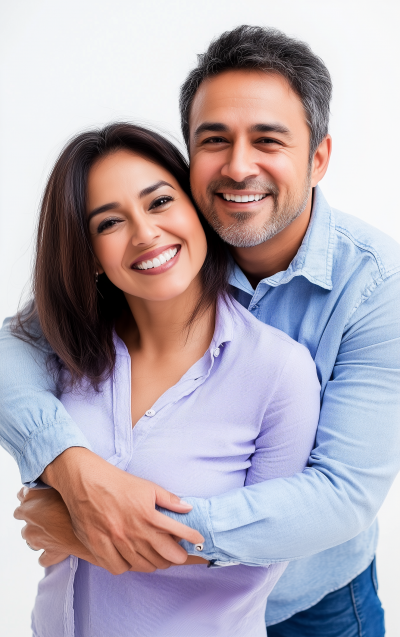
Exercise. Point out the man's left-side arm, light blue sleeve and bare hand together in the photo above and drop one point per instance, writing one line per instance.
(113, 513)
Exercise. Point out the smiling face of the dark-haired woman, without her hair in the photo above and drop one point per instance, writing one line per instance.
(145, 232)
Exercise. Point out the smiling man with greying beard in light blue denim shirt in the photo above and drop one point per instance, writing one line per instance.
(255, 114)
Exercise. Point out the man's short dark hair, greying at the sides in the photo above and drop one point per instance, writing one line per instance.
(270, 50)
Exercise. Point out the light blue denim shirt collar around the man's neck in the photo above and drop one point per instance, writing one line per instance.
(314, 258)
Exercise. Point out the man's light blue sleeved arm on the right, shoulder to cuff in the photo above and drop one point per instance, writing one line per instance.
(354, 462)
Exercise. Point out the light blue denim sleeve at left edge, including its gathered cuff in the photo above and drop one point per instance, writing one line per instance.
(34, 425)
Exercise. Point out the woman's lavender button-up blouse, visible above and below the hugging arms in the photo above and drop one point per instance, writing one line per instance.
(247, 411)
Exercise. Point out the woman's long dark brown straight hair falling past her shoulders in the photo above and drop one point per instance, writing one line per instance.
(76, 315)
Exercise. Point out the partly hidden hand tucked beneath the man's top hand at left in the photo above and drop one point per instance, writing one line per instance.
(48, 526)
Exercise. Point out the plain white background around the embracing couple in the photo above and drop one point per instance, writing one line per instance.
(66, 65)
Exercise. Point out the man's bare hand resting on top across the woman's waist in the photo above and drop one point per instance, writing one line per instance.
(113, 514)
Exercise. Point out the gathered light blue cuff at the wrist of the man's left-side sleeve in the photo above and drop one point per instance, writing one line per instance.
(44, 445)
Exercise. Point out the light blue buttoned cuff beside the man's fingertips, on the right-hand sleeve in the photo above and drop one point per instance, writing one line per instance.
(198, 518)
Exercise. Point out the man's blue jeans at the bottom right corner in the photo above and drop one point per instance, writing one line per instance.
(353, 611)
